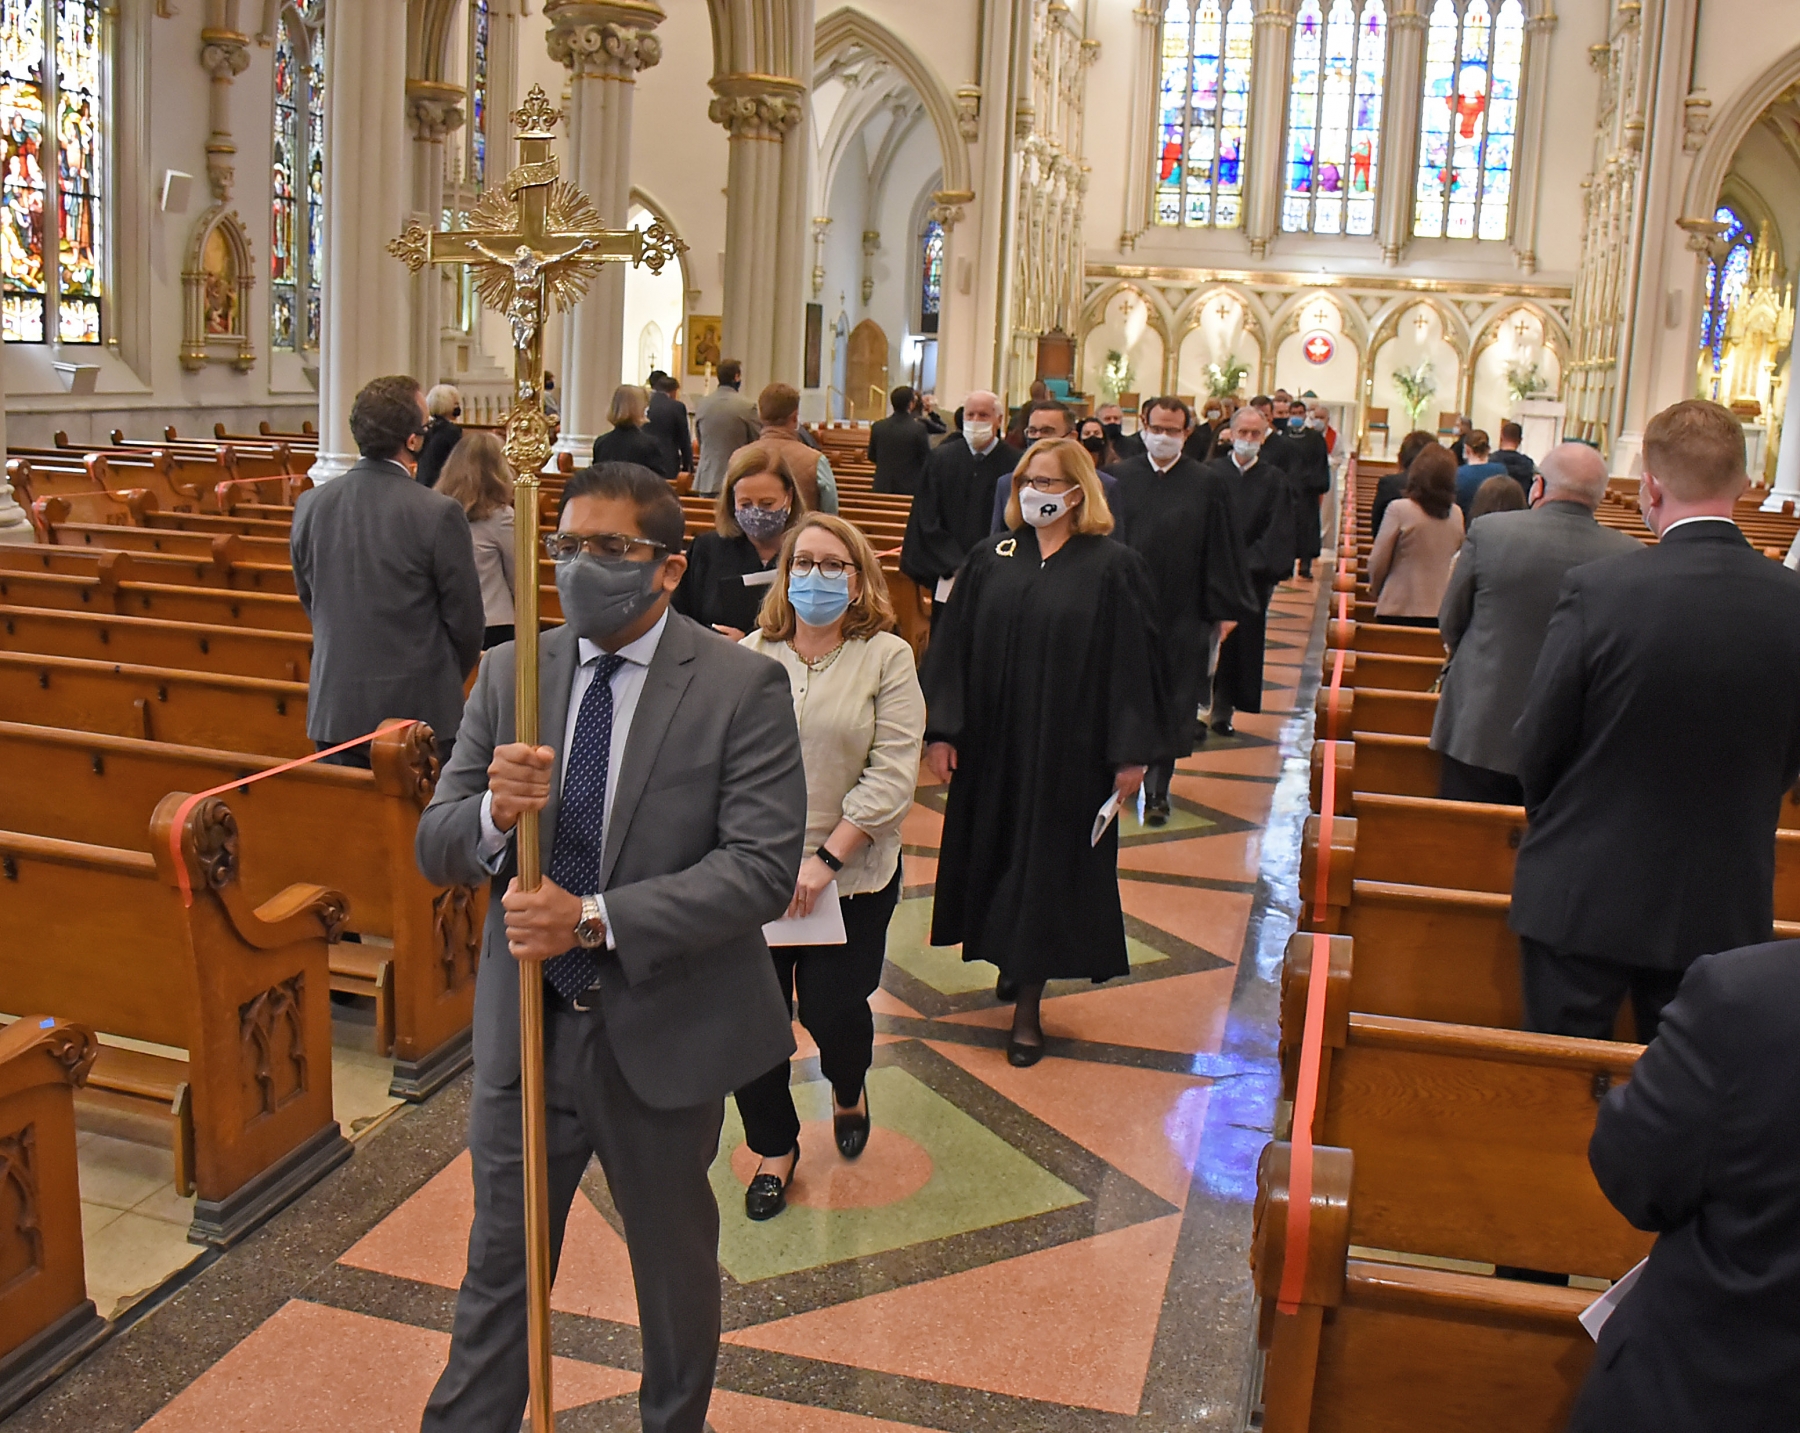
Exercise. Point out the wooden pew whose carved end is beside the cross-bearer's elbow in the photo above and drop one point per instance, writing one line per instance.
(339, 827)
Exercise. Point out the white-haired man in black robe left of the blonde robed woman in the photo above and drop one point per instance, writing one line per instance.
(955, 503)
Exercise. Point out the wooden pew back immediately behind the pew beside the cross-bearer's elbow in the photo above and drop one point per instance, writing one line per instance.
(156, 703)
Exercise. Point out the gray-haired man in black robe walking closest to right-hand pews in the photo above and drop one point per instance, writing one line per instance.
(1263, 505)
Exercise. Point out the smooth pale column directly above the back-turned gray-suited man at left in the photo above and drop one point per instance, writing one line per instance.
(368, 199)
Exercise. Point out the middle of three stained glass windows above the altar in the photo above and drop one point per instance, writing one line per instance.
(1335, 118)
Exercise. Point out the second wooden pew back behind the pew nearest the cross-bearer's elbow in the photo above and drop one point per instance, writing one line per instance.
(147, 642)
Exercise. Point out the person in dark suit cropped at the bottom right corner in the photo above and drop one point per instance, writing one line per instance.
(1704, 1148)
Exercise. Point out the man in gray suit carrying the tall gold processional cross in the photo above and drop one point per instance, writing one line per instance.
(674, 809)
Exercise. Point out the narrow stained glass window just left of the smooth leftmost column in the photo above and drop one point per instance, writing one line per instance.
(298, 172)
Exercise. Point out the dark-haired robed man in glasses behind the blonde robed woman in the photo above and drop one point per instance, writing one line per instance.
(1178, 516)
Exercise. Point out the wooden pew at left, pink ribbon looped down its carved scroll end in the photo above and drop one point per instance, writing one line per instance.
(103, 935)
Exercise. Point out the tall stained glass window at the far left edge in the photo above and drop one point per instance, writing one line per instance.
(51, 255)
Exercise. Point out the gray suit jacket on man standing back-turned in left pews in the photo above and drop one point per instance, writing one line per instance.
(386, 570)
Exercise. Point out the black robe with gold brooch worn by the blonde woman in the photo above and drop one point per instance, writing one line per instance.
(1045, 680)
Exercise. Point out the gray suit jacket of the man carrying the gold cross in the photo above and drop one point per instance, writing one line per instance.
(703, 847)
